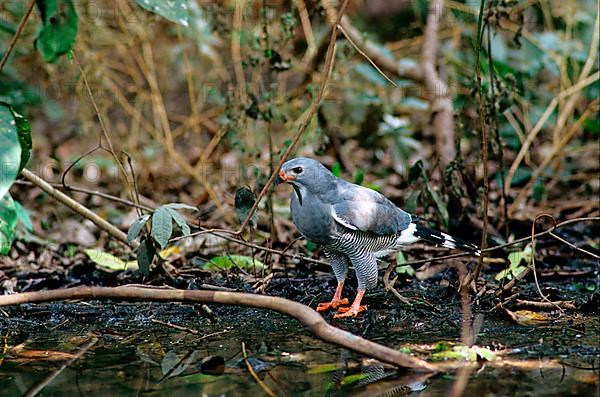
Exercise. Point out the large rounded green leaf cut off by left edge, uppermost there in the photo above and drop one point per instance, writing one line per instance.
(10, 149)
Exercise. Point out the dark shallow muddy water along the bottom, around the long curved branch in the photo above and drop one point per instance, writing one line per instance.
(135, 355)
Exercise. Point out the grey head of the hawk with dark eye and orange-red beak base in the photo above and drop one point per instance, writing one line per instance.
(305, 174)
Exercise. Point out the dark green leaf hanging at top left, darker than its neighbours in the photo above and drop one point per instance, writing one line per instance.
(59, 28)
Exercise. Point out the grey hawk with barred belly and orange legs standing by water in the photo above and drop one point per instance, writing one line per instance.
(354, 225)
